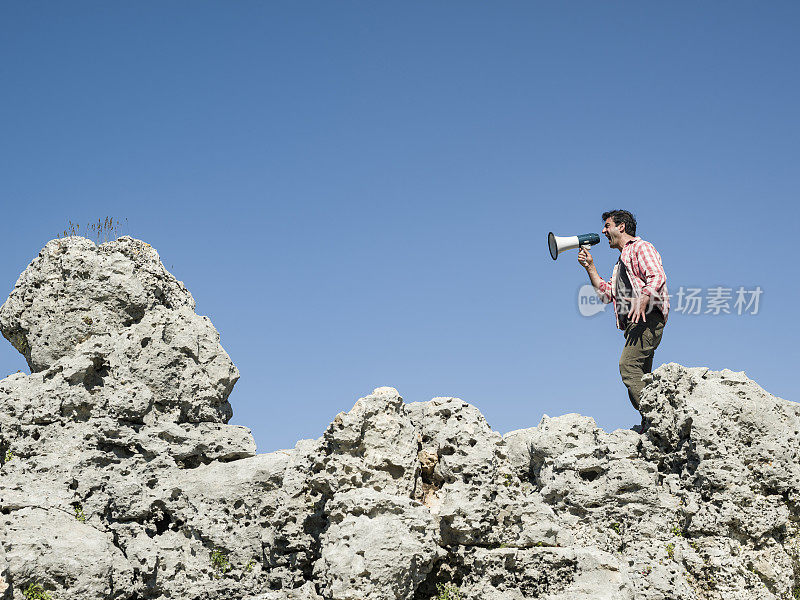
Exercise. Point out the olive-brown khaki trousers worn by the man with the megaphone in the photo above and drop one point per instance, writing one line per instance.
(641, 341)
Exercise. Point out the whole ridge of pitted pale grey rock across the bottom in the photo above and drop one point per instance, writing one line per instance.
(121, 478)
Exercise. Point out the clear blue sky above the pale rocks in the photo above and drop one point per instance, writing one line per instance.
(358, 193)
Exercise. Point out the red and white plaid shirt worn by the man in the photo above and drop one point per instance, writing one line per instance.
(646, 274)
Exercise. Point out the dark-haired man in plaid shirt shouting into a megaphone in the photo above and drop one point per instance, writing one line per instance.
(638, 289)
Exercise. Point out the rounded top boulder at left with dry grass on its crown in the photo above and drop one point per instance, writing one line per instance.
(75, 290)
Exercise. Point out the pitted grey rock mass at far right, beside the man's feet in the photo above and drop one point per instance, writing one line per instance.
(732, 454)
